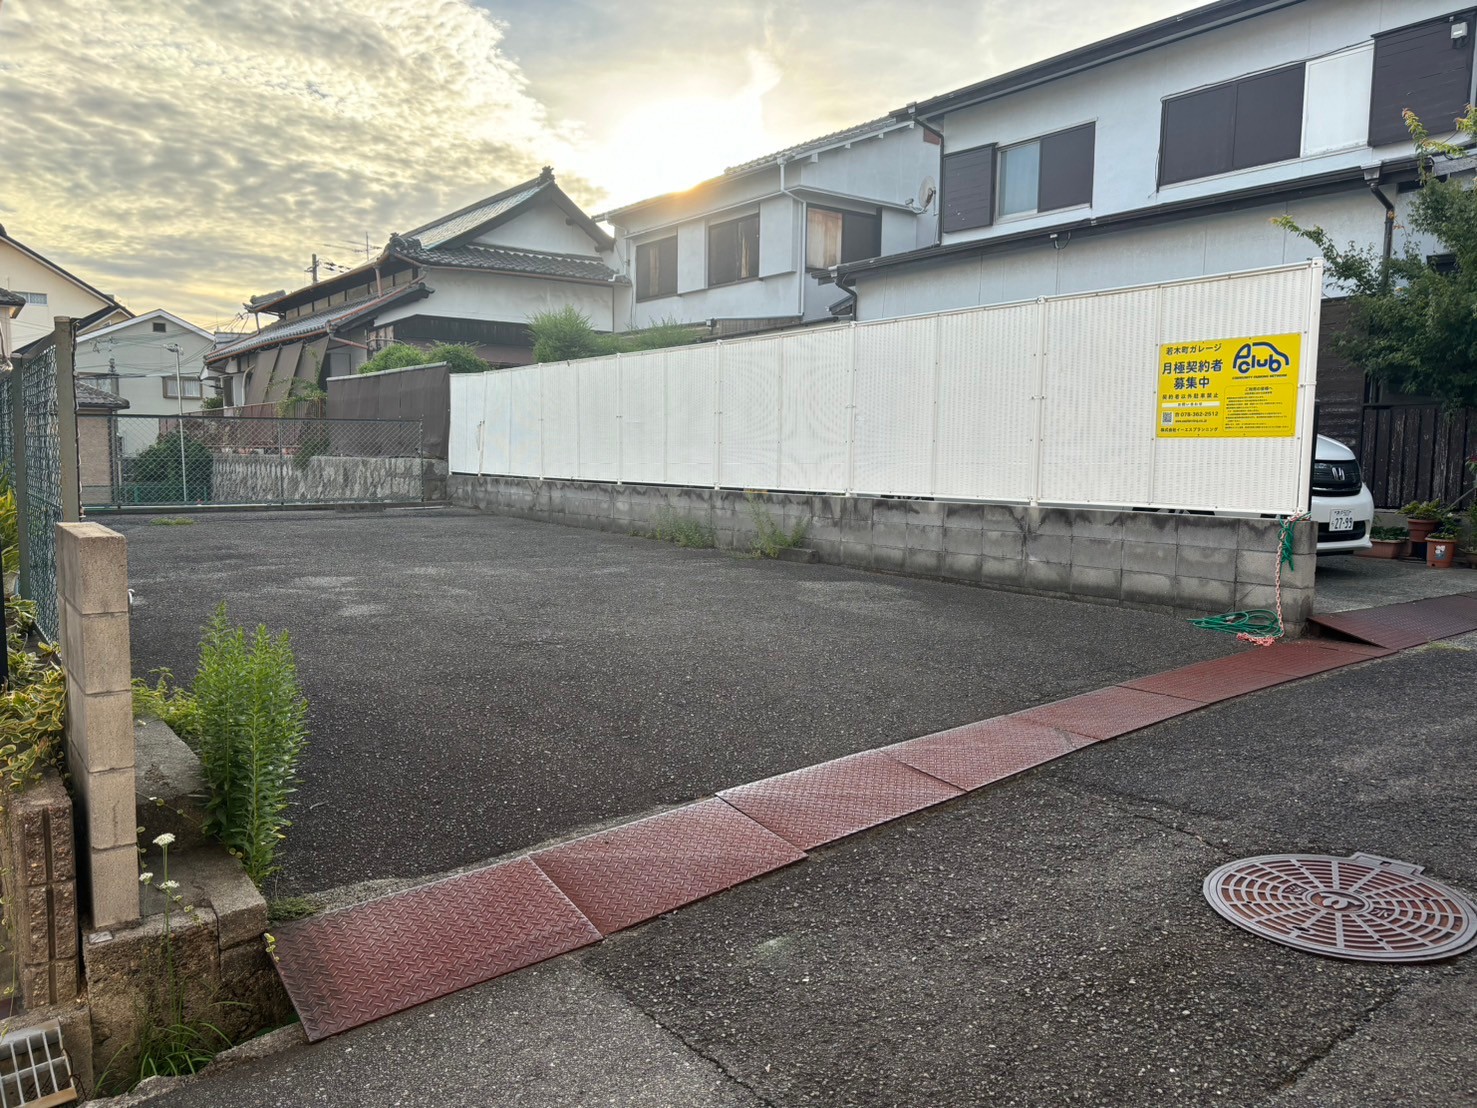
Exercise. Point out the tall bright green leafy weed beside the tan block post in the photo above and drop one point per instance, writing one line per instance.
(252, 733)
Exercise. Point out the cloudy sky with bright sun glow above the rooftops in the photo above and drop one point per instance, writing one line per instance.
(188, 154)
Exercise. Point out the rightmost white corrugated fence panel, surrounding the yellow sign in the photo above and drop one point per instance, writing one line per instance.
(1240, 475)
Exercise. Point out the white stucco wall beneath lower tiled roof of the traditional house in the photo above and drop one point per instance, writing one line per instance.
(470, 295)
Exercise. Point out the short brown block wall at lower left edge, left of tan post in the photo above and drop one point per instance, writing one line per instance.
(41, 892)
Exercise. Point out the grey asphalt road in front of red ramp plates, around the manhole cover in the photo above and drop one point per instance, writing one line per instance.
(1042, 942)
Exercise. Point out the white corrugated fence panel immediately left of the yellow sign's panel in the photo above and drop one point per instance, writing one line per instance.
(1101, 398)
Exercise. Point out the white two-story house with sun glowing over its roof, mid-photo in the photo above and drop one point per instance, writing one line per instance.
(754, 249)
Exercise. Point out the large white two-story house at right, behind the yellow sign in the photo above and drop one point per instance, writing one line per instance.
(1166, 153)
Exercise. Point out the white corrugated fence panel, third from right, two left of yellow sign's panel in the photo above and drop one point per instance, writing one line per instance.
(987, 414)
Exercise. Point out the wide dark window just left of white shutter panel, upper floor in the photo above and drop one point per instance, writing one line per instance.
(1233, 126)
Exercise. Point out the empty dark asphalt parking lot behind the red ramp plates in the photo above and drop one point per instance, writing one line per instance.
(479, 685)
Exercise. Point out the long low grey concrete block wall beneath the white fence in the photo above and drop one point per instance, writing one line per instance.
(1182, 565)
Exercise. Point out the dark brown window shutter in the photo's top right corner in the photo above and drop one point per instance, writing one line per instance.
(1423, 69)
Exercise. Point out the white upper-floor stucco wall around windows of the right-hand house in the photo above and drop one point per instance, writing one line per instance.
(1125, 103)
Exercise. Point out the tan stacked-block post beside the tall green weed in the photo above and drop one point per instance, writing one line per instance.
(92, 599)
